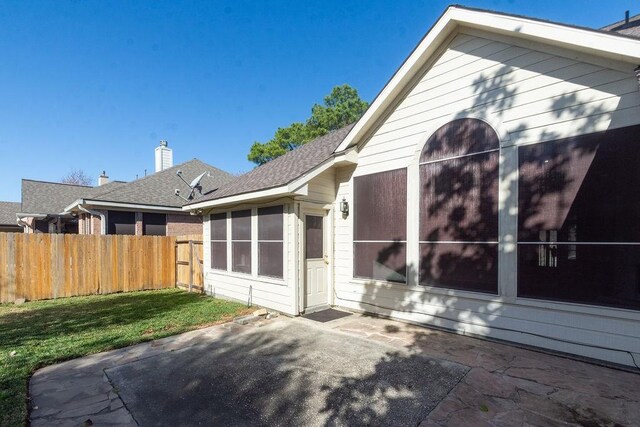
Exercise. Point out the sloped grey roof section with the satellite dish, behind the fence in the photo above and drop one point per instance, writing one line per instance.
(158, 189)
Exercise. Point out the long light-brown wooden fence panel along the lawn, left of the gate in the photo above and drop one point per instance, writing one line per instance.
(42, 266)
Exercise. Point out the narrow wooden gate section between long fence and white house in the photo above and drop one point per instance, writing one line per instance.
(189, 268)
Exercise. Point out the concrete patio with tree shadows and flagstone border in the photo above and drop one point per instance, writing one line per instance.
(348, 371)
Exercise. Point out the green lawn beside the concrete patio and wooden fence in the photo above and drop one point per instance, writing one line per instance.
(46, 332)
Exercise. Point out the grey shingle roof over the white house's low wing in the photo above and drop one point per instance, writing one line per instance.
(283, 169)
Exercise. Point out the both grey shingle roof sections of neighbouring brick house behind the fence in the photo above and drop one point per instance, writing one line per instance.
(40, 197)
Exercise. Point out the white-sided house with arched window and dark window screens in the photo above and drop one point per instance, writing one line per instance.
(491, 188)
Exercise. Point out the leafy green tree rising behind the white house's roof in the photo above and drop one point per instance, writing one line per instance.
(341, 107)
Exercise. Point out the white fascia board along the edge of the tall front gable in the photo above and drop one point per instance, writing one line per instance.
(596, 43)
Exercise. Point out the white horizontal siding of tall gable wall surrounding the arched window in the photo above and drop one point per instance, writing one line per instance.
(530, 94)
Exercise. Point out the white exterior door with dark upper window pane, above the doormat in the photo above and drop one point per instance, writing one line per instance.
(316, 261)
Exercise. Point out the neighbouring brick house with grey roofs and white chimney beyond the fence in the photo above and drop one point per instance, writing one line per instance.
(146, 206)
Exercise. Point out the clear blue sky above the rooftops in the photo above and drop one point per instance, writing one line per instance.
(94, 85)
